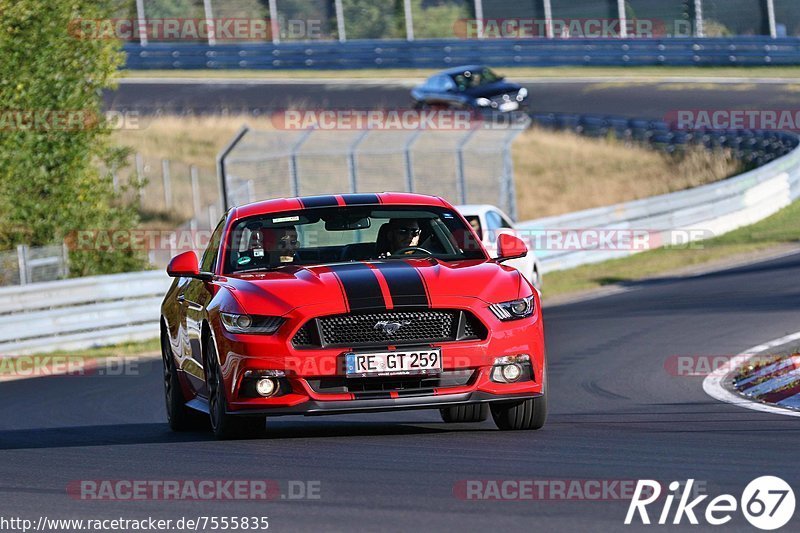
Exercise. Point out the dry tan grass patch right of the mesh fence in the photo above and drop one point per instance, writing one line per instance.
(560, 172)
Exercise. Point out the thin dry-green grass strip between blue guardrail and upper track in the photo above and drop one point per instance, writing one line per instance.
(512, 72)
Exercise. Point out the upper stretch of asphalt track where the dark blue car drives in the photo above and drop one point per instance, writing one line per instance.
(641, 99)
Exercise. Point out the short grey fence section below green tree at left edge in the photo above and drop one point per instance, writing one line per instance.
(29, 264)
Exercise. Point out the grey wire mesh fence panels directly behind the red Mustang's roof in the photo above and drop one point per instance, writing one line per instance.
(472, 166)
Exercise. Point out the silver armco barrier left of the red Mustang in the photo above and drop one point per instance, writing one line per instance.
(82, 312)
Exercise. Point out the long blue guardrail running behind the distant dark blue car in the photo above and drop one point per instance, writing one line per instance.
(441, 53)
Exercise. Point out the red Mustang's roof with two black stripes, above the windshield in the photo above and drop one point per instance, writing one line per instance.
(276, 205)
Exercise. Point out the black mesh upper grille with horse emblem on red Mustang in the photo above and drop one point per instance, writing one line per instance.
(367, 329)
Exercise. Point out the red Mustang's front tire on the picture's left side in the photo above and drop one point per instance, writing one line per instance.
(224, 425)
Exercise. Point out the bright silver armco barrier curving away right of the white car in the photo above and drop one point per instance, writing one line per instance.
(711, 209)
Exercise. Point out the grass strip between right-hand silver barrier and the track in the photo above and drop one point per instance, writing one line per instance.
(781, 228)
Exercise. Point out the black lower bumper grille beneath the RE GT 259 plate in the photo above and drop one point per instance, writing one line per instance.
(401, 384)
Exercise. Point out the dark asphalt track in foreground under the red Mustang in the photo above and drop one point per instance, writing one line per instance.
(616, 414)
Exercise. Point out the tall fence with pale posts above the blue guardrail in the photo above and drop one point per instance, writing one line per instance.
(343, 20)
